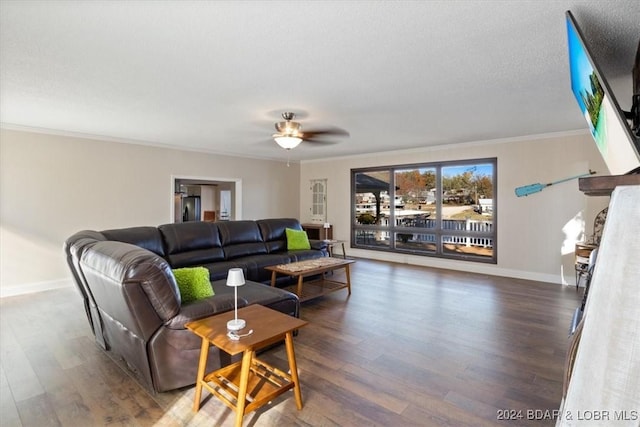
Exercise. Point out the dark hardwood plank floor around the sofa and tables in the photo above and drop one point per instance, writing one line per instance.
(411, 346)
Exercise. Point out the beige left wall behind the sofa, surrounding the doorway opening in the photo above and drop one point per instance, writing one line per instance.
(52, 186)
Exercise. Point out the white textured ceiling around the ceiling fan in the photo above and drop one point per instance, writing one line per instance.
(215, 76)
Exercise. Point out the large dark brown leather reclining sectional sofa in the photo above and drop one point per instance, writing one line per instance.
(133, 303)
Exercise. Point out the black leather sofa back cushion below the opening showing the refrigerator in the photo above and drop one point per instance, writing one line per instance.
(191, 243)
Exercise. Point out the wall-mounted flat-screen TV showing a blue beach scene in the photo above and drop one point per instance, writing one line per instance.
(607, 122)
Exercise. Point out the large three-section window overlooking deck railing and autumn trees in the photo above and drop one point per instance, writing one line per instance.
(443, 209)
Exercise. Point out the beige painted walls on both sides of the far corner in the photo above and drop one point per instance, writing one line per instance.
(52, 186)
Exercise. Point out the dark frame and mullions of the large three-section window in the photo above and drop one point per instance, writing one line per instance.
(392, 230)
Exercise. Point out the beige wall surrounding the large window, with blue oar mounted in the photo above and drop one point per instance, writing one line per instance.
(536, 234)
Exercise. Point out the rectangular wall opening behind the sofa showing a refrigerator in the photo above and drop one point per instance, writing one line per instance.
(205, 199)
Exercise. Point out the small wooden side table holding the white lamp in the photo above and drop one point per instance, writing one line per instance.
(247, 385)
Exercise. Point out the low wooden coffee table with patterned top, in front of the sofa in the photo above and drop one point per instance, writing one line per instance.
(314, 267)
